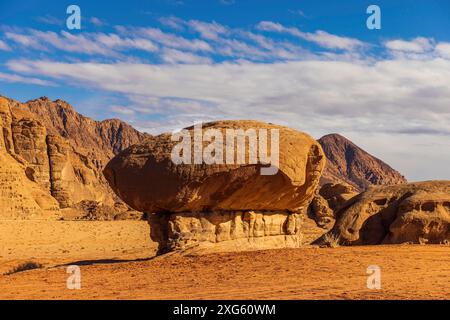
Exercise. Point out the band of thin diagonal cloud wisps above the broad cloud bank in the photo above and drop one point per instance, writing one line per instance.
(215, 40)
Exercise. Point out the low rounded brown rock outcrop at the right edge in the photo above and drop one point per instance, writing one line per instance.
(409, 213)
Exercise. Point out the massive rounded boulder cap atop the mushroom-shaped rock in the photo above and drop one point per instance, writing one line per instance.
(145, 177)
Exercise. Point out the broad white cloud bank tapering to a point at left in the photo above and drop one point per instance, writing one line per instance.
(388, 96)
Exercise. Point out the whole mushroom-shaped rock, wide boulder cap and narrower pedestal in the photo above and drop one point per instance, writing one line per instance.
(189, 203)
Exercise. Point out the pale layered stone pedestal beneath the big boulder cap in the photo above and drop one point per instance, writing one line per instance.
(238, 231)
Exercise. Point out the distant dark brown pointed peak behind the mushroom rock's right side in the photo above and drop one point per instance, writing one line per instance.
(348, 163)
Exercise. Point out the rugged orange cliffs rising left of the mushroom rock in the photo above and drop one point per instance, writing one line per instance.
(59, 154)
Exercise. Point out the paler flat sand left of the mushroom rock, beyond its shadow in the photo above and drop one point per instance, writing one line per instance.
(57, 242)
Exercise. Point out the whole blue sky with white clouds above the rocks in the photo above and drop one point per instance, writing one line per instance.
(311, 65)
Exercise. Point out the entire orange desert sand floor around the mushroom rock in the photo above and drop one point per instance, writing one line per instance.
(116, 263)
